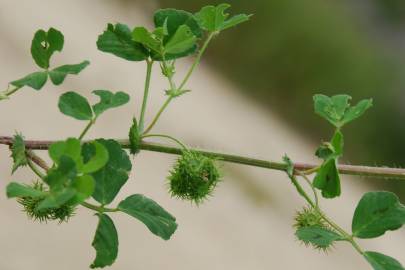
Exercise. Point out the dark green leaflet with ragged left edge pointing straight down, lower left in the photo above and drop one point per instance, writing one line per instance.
(105, 242)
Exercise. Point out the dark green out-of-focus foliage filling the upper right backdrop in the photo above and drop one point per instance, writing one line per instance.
(293, 49)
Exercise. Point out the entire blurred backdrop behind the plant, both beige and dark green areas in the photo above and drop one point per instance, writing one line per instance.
(253, 94)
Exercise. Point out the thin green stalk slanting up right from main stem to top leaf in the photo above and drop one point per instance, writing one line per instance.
(183, 83)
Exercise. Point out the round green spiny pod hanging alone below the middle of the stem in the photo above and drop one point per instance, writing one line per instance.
(193, 177)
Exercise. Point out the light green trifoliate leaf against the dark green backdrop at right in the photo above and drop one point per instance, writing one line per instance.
(337, 109)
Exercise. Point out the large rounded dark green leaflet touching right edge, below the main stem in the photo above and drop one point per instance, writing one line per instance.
(376, 213)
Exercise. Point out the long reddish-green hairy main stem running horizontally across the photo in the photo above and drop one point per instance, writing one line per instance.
(366, 171)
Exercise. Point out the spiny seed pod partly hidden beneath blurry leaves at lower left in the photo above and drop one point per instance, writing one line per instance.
(62, 214)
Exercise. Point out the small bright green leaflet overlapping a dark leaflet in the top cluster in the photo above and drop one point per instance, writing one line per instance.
(182, 41)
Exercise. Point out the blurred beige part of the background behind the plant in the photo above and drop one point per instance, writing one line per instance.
(246, 225)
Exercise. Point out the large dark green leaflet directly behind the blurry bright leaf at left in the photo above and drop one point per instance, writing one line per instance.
(113, 175)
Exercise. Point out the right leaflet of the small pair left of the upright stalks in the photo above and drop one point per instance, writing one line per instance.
(109, 100)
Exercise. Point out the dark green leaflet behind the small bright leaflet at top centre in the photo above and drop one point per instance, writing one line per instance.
(172, 20)
